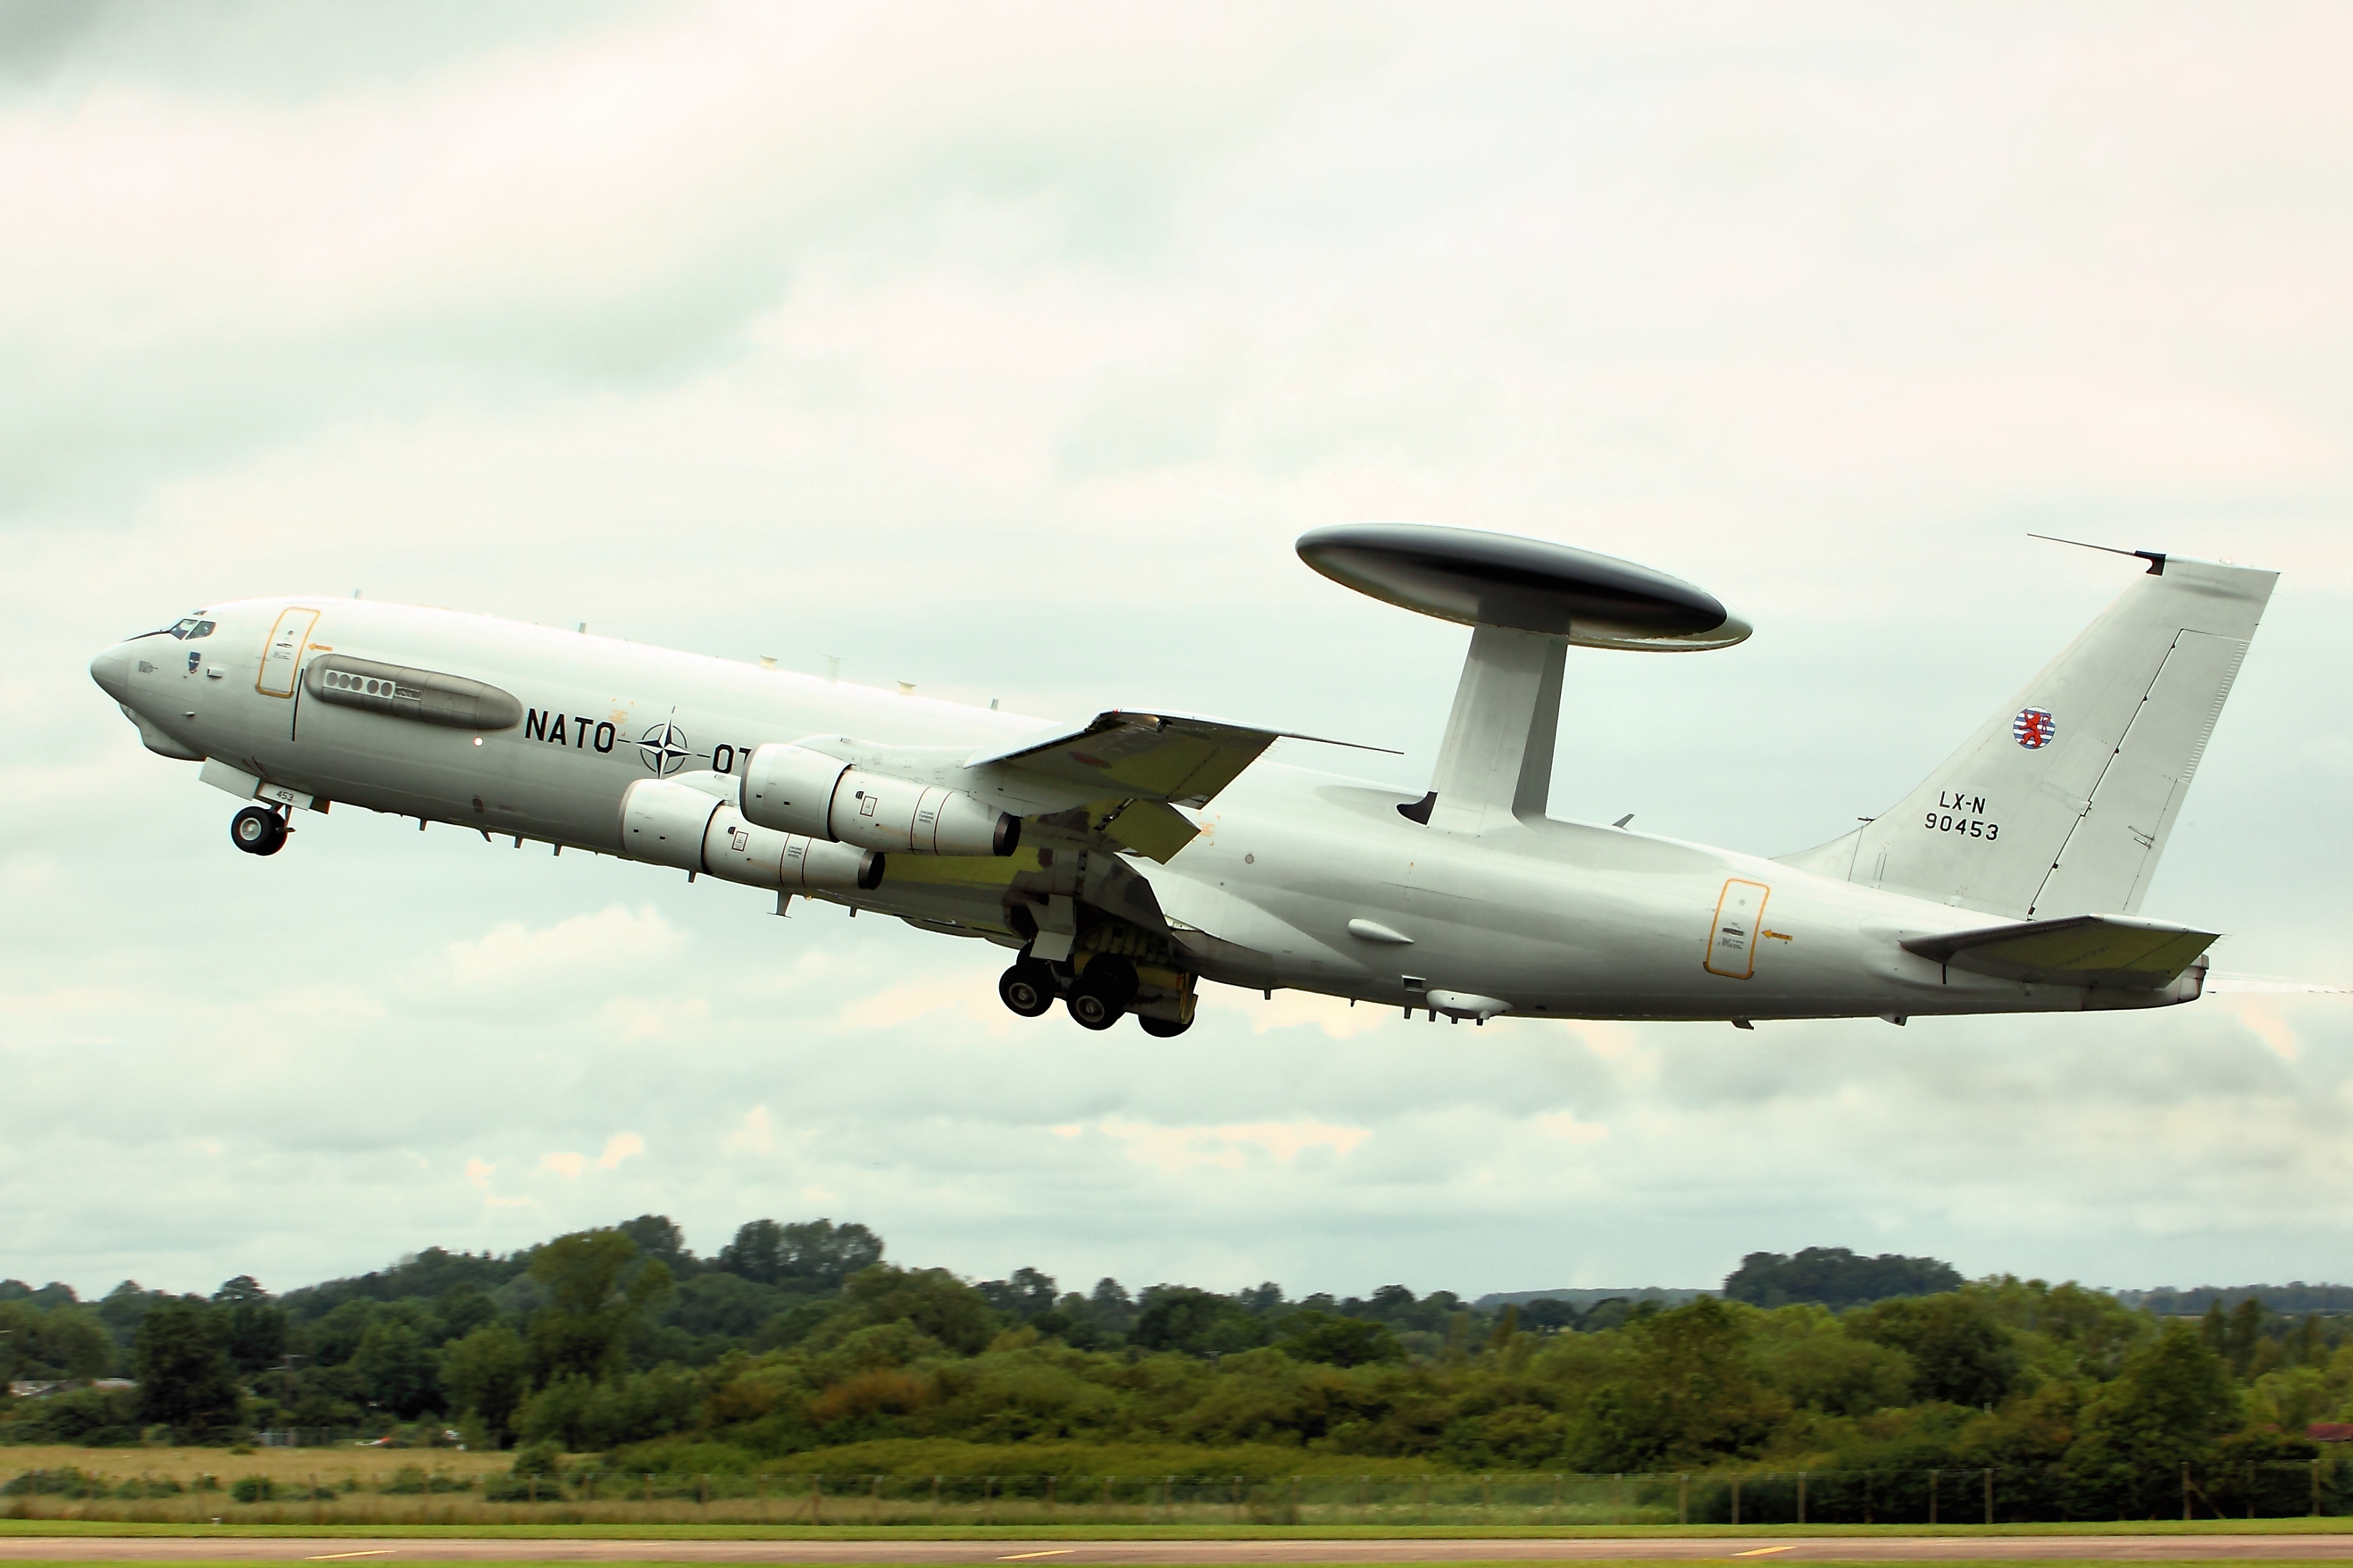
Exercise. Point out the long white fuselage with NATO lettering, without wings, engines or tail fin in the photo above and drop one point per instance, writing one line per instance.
(1298, 880)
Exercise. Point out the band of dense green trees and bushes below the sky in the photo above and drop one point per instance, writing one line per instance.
(801, 1341)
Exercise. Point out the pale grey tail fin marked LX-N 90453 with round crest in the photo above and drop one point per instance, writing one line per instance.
(2062, 800)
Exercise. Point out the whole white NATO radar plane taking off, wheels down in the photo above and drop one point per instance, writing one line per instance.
(1133, 855)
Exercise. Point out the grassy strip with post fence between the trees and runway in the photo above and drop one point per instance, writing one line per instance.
(1458, 1501)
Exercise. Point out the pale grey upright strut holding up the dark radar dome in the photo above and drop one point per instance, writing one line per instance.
(1498, 758)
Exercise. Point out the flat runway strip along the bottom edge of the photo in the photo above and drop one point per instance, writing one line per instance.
(1055, 1555)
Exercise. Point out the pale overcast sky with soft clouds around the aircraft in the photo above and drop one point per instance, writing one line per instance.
(1006, 349)
